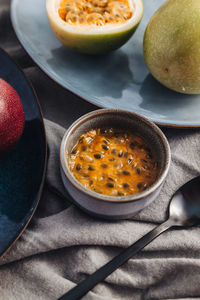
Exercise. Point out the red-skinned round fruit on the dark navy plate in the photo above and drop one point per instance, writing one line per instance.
(12, 116)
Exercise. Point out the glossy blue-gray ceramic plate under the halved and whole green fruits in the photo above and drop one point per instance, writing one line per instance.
(117, 80)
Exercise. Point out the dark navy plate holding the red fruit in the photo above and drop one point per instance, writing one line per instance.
(22, 170)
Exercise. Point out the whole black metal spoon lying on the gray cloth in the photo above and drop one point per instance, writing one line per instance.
(184, 210)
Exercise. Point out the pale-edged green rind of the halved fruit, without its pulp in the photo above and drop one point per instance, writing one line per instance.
(92, 41)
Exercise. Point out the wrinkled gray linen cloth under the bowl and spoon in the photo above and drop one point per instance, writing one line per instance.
(62, 245)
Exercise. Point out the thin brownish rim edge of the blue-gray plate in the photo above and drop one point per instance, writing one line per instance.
(70, 88)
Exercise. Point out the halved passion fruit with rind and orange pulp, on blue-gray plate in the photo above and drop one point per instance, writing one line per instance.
(94, 26)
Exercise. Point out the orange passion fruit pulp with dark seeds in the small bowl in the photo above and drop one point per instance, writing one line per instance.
(113, 163)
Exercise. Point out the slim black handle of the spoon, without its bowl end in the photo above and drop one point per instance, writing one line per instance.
(86, 285)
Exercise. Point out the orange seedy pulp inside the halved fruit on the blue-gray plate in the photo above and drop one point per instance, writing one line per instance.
(94, 12)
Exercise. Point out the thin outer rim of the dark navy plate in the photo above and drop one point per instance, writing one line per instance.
(40, 190)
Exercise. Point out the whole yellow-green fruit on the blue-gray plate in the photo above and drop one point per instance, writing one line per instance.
(172, 45)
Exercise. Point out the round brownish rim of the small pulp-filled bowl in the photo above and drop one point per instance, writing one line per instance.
(106, 198)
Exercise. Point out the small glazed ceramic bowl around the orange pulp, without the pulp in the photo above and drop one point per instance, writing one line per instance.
(106, 206)
